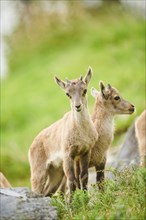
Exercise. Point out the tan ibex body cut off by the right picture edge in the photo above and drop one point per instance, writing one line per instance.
(140, 129)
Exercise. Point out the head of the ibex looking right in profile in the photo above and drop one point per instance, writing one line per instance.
(112, 99)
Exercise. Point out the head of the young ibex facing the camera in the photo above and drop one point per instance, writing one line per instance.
(76, 90)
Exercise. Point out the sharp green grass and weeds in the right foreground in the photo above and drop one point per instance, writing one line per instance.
(123, 198)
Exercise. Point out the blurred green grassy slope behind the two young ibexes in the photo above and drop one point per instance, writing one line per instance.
(109, 38)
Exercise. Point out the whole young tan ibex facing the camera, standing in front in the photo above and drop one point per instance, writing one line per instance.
(58, 148)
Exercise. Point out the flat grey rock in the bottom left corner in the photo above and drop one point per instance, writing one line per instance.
(22, 204)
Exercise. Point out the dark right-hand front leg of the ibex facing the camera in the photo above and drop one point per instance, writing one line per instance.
(84, 170)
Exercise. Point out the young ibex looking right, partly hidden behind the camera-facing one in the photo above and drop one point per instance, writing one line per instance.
(108, 104)
